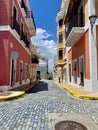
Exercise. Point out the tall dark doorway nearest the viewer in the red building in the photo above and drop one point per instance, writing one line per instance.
(13, 72)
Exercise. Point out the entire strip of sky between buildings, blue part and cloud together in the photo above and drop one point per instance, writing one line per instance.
(45, 13)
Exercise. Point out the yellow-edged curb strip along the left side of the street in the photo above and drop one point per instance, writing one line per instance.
(18, 94)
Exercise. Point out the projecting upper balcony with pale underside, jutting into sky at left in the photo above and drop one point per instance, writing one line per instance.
(29, 20)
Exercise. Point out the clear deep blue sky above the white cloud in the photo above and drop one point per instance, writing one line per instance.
(45, 12)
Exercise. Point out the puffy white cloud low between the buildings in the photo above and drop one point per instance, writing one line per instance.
(45, 46)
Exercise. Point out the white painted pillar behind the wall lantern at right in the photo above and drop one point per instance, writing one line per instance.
(93, 86)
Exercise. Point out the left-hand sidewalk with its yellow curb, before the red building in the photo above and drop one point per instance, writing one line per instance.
(16, 92)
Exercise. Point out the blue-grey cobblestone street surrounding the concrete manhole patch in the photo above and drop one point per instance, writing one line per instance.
(31, 111)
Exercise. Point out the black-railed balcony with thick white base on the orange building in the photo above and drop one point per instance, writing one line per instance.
(75, 30)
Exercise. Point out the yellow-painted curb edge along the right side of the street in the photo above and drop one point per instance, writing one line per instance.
(75, 94)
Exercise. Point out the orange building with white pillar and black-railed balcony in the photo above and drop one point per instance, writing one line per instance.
(82, 40)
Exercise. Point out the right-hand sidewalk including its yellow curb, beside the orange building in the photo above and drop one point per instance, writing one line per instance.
(78, 91)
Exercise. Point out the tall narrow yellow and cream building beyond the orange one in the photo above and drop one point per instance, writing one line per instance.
(62, 55)
